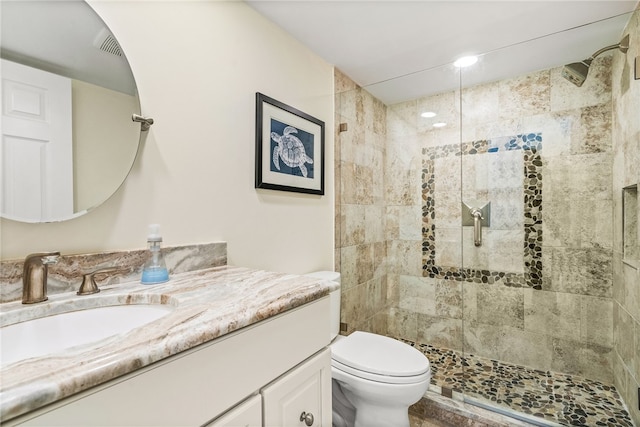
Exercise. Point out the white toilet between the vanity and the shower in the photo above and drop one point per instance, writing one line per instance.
(374, 378)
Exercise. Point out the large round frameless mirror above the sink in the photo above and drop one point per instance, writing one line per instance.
(68, 94)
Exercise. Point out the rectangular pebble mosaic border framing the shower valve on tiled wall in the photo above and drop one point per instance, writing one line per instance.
(531, 145)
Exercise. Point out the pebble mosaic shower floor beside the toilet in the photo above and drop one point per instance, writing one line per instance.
(561, 398)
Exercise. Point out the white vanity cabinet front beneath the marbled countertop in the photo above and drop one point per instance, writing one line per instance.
(274, 368)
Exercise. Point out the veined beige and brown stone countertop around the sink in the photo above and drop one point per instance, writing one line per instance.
(206, 304)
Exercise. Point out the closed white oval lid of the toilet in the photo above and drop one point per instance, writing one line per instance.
(379, 355)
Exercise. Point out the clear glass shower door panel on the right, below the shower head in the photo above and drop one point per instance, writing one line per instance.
(538, 308)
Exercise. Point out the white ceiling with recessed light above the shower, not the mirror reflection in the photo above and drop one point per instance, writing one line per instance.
(402, 50)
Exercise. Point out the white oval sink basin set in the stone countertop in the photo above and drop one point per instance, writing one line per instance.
(52, 334)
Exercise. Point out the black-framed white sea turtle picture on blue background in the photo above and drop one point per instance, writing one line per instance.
(289, 148)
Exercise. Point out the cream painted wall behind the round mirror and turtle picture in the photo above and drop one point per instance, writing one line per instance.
(198, 65)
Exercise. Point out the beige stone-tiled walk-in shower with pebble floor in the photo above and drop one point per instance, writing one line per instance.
(539, 299)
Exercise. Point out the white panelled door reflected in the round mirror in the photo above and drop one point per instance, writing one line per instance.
(37, 157)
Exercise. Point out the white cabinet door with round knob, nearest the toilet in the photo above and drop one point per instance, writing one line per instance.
(301, 397)
